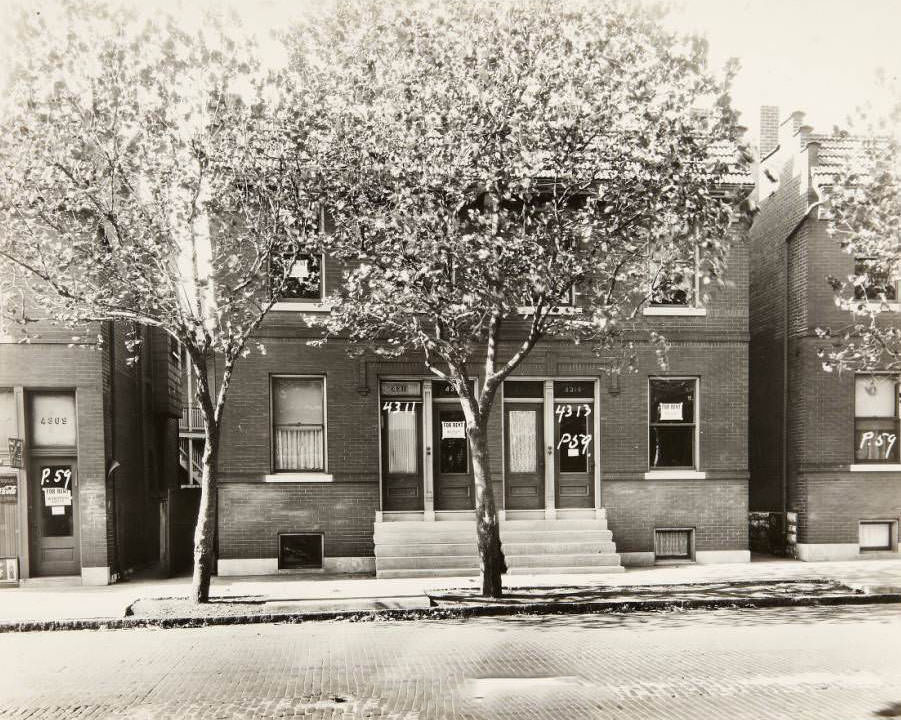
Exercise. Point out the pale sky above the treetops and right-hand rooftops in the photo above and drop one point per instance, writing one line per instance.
(818, 56)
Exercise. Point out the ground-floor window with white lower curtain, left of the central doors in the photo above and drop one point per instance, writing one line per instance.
(298, 423)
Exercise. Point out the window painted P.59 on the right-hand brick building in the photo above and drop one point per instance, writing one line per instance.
(876, 419)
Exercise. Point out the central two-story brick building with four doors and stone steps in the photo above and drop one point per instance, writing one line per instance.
(360, 464)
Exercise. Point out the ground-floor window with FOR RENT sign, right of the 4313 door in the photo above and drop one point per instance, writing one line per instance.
(672, 423)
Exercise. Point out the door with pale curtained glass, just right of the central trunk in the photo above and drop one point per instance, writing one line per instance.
(524, 459)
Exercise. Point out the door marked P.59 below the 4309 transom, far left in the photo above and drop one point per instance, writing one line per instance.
(54, 516)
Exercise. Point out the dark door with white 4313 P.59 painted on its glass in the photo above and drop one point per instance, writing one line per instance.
(574, 455)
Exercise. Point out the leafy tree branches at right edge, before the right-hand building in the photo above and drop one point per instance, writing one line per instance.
(864, 210)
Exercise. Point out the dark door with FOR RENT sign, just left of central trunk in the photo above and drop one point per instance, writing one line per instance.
(453, 469)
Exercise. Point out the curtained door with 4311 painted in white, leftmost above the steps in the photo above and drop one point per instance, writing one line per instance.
(401, 455)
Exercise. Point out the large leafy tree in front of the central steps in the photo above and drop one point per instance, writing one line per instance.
(486, 160)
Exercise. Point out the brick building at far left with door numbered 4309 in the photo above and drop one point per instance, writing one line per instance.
(92, 491)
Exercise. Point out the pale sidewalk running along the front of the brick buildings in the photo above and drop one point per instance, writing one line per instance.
(48, 600)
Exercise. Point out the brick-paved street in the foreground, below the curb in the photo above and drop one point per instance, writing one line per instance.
(823, 663)
